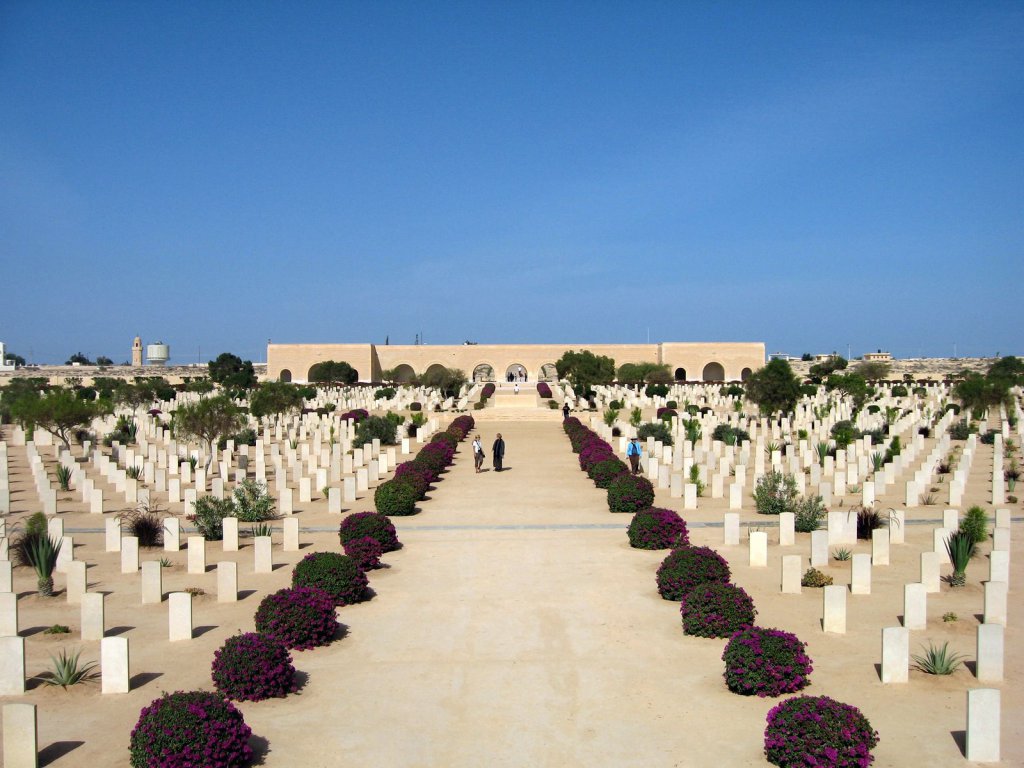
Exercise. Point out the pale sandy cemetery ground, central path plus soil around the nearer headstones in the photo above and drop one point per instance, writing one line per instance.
(518, 628)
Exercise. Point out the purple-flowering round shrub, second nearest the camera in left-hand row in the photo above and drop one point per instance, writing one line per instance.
(253, 667)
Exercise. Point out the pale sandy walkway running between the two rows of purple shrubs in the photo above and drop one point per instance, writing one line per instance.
(537, 641)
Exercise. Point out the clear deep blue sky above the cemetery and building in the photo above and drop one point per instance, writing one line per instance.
(215, 175)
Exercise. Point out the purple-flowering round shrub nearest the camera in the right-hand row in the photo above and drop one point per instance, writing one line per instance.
(819, 731)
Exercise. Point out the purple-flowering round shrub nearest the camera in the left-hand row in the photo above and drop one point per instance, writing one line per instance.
(190, 730)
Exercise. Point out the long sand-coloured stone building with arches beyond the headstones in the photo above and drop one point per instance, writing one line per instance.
(688, 362)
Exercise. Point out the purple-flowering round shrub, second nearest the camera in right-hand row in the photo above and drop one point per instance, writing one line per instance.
(766, 663)
